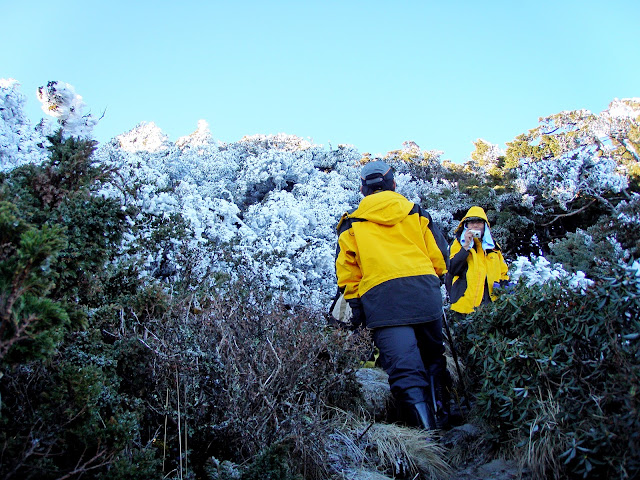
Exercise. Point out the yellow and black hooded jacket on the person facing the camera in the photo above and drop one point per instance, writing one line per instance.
(473, 272)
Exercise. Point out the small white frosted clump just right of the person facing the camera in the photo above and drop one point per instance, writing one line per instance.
(538, 271)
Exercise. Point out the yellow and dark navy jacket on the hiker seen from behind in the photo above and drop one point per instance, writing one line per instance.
(391, 255)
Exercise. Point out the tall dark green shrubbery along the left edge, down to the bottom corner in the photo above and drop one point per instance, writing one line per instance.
(72, 404)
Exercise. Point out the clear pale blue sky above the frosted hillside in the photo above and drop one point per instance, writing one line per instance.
(368, 73)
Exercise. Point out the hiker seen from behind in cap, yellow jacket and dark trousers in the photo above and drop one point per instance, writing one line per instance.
(390, 259)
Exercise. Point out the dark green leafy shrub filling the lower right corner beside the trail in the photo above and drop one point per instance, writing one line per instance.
(558, 372)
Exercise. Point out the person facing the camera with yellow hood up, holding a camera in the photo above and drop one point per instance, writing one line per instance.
(476, 263)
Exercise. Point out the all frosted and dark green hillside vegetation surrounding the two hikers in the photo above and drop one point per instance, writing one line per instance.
(163, 305)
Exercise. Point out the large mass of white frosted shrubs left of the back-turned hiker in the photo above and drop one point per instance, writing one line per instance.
(271, 203)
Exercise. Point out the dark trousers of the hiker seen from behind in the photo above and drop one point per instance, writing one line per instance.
(408, 354)
